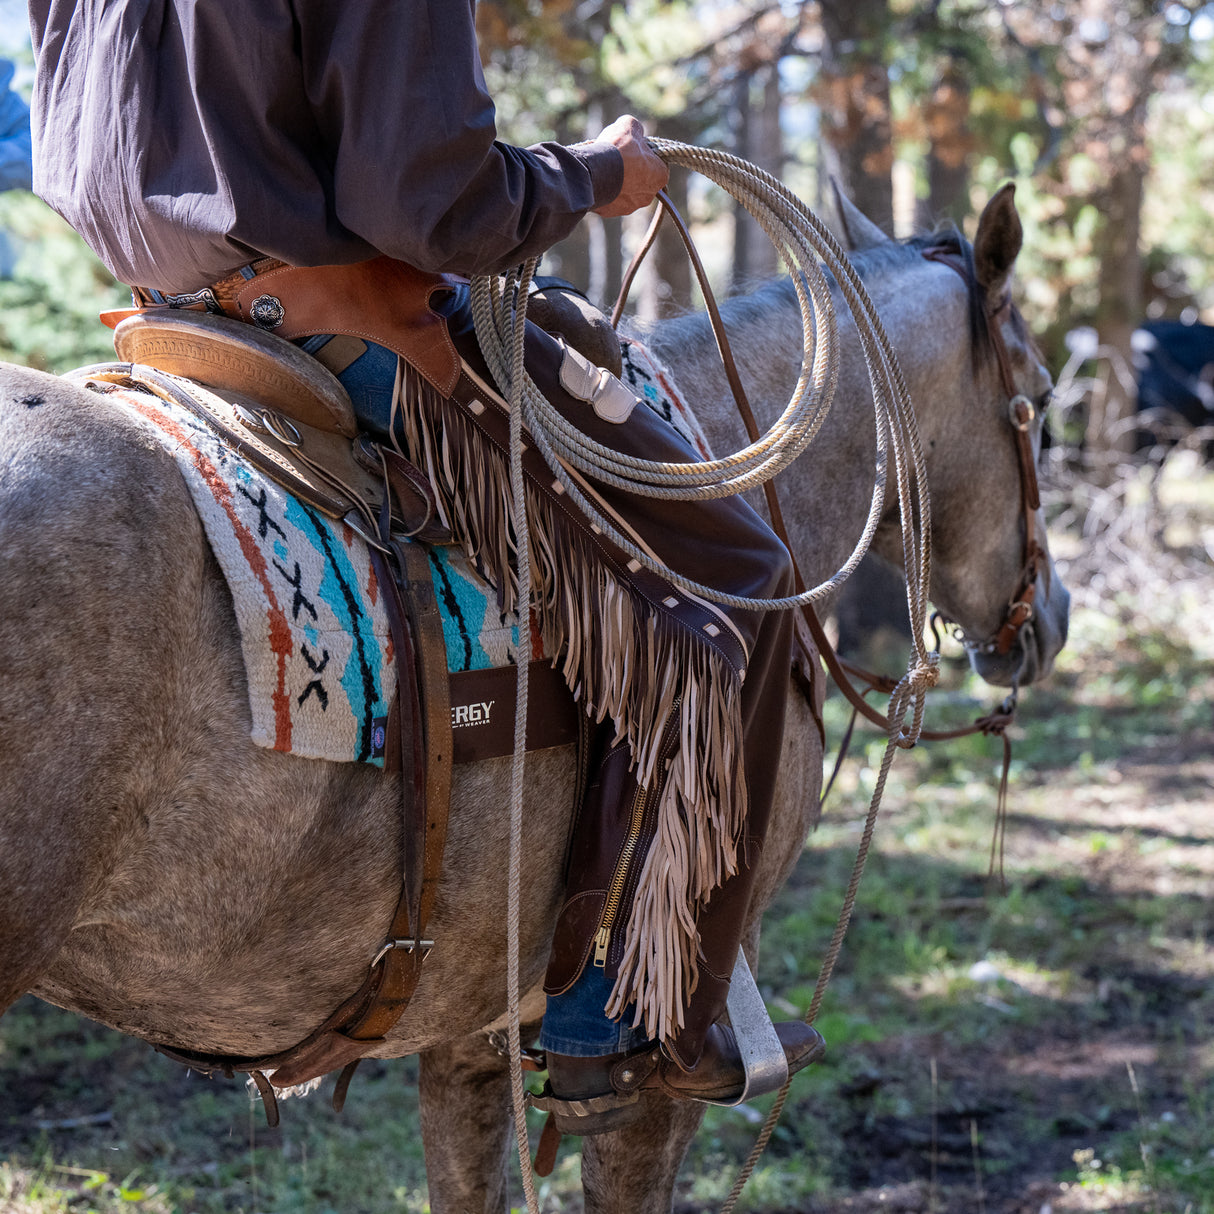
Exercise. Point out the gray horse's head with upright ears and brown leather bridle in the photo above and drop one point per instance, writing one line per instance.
(980, 405)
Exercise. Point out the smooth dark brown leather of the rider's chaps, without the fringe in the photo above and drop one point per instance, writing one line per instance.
(721, 543)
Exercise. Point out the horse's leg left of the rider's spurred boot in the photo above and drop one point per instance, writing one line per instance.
(467, 1128)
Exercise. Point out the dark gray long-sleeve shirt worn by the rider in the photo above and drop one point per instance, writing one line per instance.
(184, 139)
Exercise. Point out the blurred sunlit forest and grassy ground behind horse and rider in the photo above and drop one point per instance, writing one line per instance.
(1033, 1048)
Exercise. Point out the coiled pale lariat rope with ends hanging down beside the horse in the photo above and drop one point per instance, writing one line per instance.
(807, 247)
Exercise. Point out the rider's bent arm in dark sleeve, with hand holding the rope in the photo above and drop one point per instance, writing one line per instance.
(419, 173)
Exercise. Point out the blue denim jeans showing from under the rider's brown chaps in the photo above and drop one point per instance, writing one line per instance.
(575, 1023)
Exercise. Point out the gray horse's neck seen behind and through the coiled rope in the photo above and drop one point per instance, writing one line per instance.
(826, 495)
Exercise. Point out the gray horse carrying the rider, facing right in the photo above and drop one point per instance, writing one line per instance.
(164, 876)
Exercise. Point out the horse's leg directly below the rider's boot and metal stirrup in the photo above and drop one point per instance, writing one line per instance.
(633, 1171)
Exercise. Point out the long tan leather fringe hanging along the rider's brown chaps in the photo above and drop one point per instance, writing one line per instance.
(625, 662)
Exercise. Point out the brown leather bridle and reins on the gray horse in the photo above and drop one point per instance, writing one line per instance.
(1022, 415)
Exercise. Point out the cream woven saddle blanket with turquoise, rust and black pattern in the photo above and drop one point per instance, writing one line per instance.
(315, 636)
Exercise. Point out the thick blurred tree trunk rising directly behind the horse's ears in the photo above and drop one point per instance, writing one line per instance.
(854, 97)
